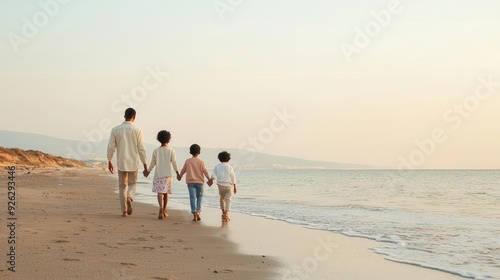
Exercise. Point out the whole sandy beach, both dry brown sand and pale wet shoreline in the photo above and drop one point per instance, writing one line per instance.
(69, 227)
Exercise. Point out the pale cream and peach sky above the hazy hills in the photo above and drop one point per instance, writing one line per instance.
(367, 82)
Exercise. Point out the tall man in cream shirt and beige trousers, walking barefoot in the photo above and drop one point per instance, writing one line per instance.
(127, 140)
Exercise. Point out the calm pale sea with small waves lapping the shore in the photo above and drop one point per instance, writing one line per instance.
(442, 219)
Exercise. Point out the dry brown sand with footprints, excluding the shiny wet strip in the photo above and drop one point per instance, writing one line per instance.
(69, 227)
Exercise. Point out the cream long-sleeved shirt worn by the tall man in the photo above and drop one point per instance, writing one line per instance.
(128, 141)
